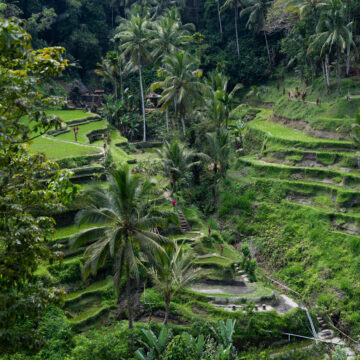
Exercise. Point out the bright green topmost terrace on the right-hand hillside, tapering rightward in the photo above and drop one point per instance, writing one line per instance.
(277, 134)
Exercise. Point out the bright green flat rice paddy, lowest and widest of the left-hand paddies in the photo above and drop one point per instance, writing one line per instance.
(56, 150)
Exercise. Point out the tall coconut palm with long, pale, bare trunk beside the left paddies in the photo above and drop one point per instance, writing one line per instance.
(134, 36)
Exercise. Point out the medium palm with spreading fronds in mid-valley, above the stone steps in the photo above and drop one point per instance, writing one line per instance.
(177, 160)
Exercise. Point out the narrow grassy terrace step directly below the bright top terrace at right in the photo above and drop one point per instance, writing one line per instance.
(325, 158)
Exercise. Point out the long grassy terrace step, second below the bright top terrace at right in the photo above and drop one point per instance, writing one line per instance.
(308, 173)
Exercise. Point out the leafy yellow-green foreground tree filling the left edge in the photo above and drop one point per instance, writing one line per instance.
(31, 187)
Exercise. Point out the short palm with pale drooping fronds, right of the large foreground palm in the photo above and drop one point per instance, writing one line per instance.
(175, 272)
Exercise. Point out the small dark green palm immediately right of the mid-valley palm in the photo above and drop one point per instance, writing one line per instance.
(219, 150)
